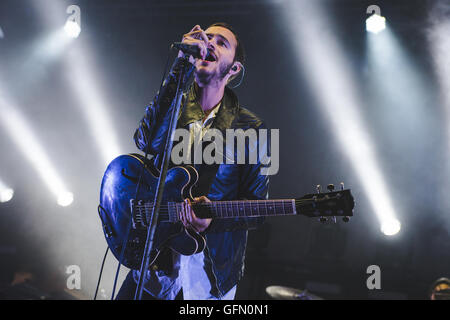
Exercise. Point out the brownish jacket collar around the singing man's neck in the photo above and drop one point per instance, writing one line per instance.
(192, 110)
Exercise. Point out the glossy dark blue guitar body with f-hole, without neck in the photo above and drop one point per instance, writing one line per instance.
(119, 186)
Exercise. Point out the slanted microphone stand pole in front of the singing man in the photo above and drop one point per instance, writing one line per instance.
(160, 187)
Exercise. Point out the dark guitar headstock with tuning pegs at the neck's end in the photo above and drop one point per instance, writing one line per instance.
(329, 204)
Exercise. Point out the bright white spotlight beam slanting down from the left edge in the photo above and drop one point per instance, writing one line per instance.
(21, 133)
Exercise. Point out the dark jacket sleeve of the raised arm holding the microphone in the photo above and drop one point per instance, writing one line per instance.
(151, 134)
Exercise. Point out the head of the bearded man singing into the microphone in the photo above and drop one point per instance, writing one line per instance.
(227, 54)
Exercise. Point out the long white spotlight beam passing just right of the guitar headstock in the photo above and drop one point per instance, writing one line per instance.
(323, 62)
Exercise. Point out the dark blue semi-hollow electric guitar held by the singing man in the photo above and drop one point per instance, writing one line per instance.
(124, 219)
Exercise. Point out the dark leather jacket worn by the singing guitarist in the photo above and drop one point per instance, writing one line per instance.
(226, 238)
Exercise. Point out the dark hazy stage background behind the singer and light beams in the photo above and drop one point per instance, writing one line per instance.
(129, 43)
